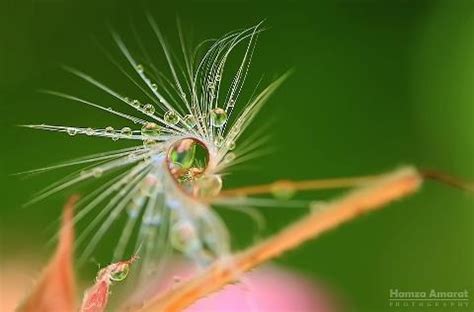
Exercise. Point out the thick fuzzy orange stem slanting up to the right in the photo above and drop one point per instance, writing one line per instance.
(387, 188)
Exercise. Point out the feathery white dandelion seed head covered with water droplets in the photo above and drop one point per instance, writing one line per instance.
(182, 141)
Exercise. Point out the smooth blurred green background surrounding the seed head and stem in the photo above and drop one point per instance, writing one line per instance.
(377, 84)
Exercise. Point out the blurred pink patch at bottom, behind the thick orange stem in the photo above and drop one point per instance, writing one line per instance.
(269, 288)
